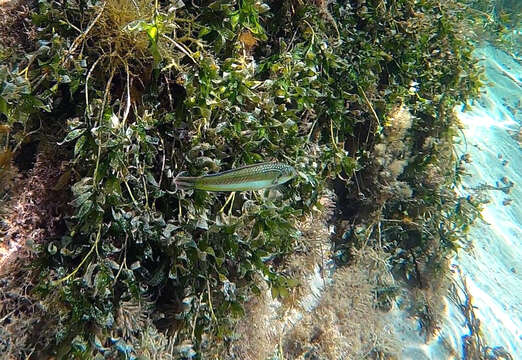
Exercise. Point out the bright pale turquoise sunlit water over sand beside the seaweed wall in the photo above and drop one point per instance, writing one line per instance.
(492, 266)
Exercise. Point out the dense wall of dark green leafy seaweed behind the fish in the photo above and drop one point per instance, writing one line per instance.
(104, 105)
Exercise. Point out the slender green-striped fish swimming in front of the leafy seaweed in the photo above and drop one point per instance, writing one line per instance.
(250, 177)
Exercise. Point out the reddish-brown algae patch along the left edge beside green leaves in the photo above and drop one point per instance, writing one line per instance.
(33, 219)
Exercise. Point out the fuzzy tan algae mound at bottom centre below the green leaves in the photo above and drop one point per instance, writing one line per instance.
(323, 316)
